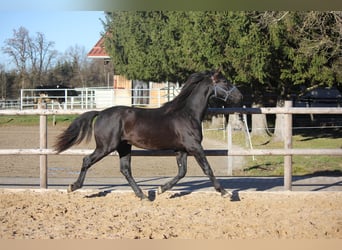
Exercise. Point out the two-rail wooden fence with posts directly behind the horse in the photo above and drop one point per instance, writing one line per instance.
(287, 151)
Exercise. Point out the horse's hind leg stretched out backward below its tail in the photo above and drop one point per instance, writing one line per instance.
(88, 161)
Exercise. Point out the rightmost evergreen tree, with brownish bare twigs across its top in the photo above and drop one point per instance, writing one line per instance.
(306, 49)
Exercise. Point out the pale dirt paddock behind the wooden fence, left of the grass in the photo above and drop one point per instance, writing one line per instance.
(69, 166)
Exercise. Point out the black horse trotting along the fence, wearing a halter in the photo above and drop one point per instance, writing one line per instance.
(174, 126)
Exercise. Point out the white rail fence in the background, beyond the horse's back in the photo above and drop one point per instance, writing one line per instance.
(97, 97)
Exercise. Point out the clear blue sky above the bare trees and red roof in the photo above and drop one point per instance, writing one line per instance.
(65, 28)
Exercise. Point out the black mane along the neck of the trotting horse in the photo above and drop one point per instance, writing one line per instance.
(179, 101)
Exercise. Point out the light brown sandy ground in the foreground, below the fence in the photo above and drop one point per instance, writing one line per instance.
(120, 215)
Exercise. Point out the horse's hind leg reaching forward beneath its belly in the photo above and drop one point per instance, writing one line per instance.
(124, 151)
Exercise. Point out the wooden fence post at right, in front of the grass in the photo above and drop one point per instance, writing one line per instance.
(288, 145)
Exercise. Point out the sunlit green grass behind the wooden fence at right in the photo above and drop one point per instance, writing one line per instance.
(302, 165)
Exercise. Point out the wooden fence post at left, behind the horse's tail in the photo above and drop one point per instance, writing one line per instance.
(43, 145)
